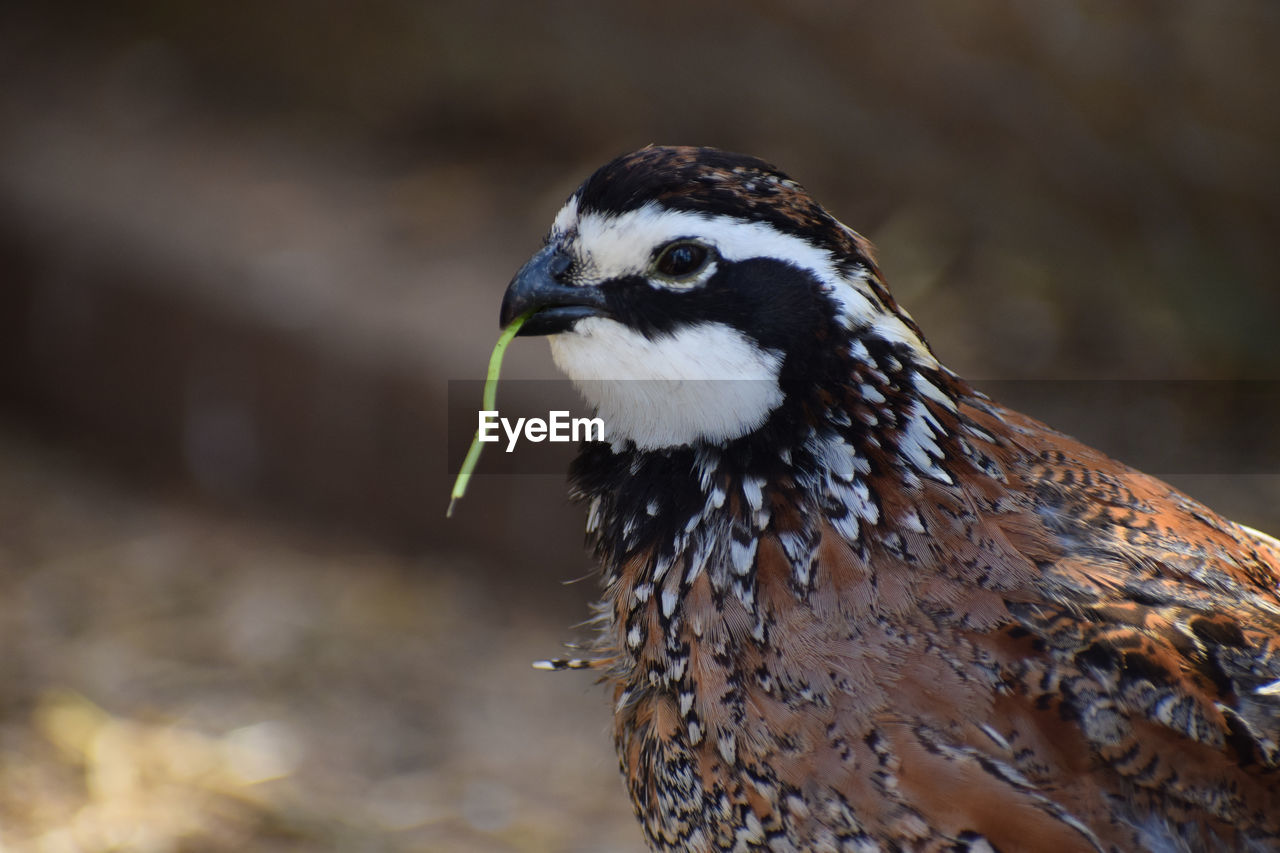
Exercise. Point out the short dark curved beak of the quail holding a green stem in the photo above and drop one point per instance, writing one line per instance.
(538, 288)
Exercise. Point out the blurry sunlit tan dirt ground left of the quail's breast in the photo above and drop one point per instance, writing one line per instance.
(180, 681)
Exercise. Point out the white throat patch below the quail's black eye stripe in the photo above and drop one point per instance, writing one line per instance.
(705, 382)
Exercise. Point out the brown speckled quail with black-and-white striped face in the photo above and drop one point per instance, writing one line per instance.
(849, 603)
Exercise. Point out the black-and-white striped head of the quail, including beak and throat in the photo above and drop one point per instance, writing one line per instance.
(691, 293)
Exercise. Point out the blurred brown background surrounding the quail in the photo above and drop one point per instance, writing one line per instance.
(246, 248)
